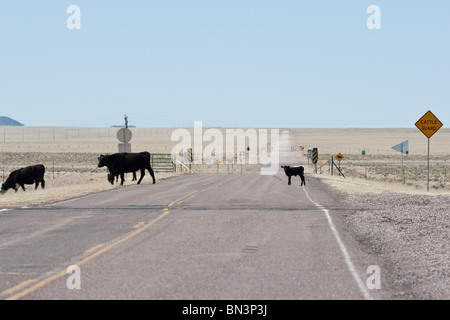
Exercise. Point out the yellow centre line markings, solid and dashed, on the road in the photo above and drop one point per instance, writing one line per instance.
(140, 227)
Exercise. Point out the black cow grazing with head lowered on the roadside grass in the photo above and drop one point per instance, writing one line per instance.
(28, 175)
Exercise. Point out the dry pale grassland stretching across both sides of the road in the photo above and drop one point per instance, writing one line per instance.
(70, 154)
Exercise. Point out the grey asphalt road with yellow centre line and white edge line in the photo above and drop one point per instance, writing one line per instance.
(196, 236)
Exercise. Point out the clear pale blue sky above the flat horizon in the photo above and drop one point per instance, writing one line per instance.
(245, 63)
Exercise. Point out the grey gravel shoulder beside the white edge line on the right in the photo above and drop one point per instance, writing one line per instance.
(408, 230)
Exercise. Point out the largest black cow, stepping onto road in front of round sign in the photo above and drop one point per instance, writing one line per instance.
(120, 163)
